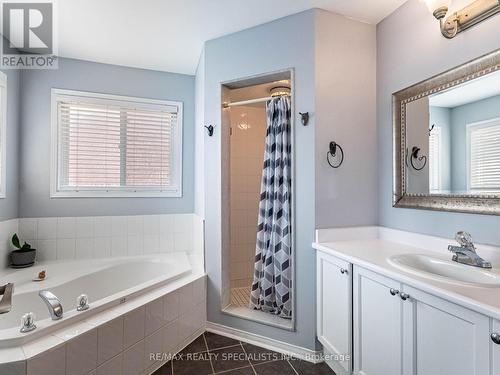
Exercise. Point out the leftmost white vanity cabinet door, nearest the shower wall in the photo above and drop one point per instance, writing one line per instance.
(334, 296)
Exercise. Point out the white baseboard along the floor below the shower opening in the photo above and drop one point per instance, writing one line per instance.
(309, 355)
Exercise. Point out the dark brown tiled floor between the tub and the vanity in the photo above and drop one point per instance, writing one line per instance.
(214, 354)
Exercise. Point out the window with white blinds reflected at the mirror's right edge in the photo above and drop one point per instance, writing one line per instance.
(483, 141)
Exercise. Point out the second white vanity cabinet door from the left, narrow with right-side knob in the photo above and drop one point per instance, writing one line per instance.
(377, 324)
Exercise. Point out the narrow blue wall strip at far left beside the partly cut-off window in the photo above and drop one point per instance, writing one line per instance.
(9, 204)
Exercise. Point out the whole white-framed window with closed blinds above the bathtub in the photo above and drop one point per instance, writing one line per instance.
(114, 146)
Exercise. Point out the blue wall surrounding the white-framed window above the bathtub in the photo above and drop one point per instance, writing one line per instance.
(34, 200)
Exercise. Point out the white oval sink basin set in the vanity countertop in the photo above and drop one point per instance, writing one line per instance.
(445, 270)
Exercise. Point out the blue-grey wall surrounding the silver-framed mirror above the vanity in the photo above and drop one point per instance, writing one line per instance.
(407, 55)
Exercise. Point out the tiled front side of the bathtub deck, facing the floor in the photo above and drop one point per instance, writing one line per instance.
(119, 340)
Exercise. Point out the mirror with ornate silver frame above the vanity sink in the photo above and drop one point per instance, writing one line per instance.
(447, 140)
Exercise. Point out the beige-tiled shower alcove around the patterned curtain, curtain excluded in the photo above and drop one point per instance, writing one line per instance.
(244, 126)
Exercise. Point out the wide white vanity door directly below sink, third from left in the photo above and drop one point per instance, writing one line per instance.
(445, 338)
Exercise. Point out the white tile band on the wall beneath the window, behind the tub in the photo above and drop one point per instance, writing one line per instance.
(112, 236)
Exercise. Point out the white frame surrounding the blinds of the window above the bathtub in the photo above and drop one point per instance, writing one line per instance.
(120, 192)
